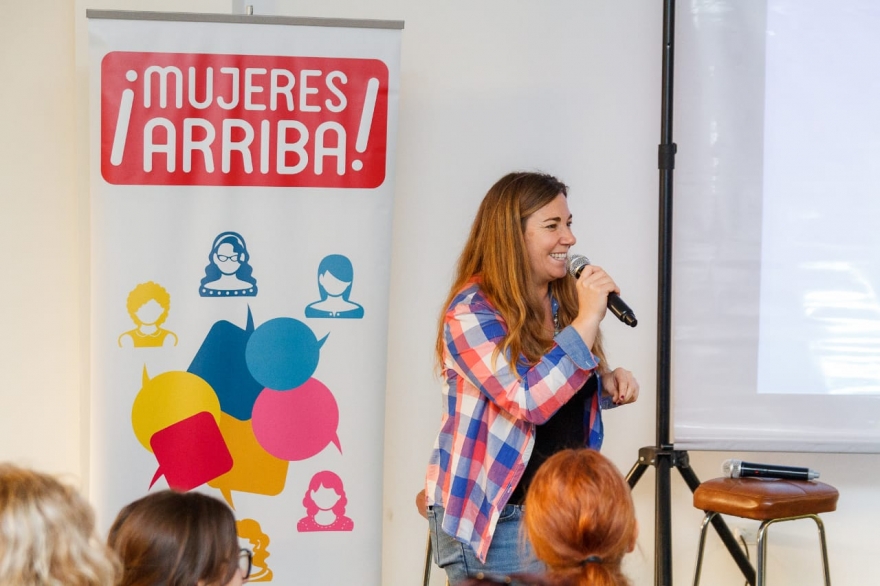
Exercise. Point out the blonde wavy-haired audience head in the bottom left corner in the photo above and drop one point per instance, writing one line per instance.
(47, 534)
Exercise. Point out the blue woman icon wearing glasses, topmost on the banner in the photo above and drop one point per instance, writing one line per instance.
(228, 273)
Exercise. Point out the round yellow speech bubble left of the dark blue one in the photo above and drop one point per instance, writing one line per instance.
(169, 398)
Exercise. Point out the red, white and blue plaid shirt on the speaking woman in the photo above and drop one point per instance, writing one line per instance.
(487, 430)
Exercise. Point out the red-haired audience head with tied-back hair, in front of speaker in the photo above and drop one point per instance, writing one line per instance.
(580, 518)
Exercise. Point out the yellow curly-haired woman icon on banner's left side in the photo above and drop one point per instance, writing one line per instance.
(148, 306)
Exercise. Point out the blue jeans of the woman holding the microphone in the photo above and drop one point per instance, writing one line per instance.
(509, 553)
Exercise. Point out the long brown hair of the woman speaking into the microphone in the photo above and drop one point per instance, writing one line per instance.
(496, 251)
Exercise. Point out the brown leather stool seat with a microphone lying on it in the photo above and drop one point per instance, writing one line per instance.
(763, 499)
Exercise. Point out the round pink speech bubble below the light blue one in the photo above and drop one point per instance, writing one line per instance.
(296, 424)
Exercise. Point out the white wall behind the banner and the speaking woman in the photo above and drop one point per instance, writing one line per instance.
(570, 87)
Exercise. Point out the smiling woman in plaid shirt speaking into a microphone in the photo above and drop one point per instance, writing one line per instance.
(520, 354)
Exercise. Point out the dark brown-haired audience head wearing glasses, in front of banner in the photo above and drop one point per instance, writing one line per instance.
(178, 539)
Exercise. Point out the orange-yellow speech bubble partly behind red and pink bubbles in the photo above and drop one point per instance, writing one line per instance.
(254, 469)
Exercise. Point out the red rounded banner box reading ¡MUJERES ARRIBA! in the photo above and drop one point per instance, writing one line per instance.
(243, 120)
